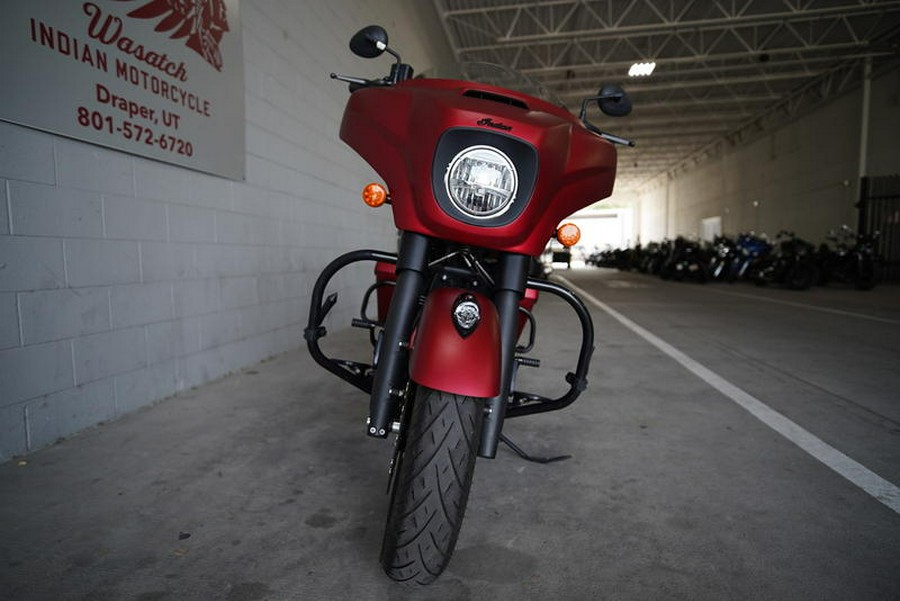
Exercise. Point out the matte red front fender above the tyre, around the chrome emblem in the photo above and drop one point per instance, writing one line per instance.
(443, 360)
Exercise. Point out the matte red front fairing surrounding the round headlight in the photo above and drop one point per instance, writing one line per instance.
(386, 125)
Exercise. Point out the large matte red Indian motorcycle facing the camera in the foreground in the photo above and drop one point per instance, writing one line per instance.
(479, 176)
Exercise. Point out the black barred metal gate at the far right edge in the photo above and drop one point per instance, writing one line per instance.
(879, 211)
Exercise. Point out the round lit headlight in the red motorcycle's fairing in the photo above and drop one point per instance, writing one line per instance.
(481, 181)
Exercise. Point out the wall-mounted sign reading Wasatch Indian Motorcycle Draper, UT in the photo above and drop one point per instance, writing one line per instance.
(158, 78)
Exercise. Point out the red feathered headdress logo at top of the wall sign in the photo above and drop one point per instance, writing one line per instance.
(202, 22)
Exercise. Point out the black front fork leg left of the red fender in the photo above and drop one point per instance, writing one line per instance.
(391, 370)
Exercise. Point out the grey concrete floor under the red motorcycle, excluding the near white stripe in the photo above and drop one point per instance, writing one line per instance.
(262, 485)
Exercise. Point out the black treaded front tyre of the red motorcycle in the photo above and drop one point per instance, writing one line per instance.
(433, 480)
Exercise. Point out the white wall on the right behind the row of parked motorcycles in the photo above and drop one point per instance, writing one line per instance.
(801, 177)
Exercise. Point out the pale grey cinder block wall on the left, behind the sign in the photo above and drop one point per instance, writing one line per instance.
(124, 280)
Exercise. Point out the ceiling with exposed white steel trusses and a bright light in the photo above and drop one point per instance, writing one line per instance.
(725, 70)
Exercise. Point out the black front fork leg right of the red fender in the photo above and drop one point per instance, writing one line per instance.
(508, 294)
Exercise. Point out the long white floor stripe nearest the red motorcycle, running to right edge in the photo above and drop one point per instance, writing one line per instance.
(870, 482)
